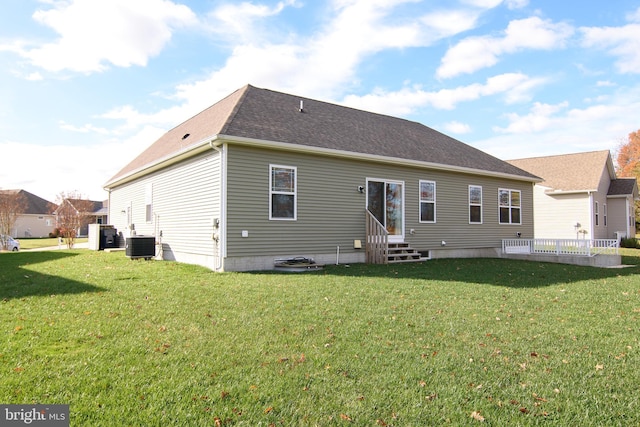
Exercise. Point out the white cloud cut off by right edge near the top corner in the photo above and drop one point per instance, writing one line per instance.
(621, 42)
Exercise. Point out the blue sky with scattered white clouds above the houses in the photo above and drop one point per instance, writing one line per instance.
(86, 85)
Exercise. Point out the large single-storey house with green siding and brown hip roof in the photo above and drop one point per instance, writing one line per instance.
(263, 175)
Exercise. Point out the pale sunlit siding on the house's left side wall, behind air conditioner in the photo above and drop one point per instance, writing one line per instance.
(186, 200)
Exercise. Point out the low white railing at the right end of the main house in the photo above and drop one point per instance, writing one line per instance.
(579, 247)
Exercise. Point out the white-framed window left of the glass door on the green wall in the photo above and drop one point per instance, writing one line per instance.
(282, 192)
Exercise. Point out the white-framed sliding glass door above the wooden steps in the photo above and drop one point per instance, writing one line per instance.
(385, 202)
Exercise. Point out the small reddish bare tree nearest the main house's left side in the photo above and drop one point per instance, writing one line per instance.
(72, 214)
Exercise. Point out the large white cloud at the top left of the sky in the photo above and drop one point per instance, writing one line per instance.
(93, 34)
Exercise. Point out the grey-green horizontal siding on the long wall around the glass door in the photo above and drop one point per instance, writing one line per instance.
(330, 210)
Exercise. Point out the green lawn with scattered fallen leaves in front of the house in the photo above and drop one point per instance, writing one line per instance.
(445, 342)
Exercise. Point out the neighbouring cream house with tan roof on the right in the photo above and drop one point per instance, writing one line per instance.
(581, 197)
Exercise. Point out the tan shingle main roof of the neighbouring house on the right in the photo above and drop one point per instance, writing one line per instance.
(568, 172)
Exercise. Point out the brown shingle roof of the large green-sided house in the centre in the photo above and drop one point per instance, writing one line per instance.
(266, 115)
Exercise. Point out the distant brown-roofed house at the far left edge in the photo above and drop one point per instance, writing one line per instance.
(37, 220)
